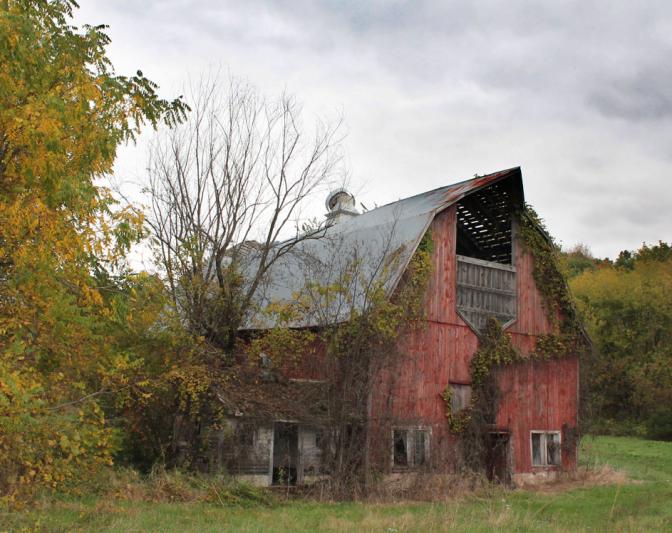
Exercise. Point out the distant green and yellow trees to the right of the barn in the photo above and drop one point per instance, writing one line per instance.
(627, 308)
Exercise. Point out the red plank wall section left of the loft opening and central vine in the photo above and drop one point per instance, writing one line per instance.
(408, 393)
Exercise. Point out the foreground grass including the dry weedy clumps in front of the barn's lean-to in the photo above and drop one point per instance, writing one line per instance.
(599, 498)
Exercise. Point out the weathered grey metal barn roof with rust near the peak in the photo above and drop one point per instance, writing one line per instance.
(394, 229)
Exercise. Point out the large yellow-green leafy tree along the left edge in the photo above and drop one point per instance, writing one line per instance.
(63, 113)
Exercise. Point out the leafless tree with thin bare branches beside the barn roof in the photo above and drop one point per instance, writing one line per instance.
(232, 180)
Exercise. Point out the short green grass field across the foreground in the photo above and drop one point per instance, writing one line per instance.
(643, 503)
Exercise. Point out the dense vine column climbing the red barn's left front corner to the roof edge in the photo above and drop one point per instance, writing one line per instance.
(355, 352)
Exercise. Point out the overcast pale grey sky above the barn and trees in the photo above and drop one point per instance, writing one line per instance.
(577, 93)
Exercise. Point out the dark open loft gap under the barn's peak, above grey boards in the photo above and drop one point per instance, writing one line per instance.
(484, 223)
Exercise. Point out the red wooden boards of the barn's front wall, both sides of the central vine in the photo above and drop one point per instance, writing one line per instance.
(408, 393)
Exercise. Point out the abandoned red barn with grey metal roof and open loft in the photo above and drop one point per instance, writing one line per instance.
(480, 269)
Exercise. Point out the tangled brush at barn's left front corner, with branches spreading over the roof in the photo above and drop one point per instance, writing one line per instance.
(359, 328)
